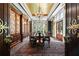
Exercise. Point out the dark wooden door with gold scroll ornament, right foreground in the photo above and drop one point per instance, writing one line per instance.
(72, 12)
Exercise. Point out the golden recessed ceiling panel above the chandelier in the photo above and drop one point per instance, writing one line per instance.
(39, 8)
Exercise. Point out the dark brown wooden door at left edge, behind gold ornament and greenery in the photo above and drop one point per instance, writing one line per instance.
(4, 15)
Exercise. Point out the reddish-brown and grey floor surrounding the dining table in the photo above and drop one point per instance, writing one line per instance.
(57, 48)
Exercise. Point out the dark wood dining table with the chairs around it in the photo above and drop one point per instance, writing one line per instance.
(38, 39)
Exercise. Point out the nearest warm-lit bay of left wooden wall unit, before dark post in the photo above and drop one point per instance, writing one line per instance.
(14, 26)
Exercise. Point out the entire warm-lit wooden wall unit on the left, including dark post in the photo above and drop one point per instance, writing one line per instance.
(18, 26)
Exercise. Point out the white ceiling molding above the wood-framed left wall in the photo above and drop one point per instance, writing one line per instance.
(24, 10)
